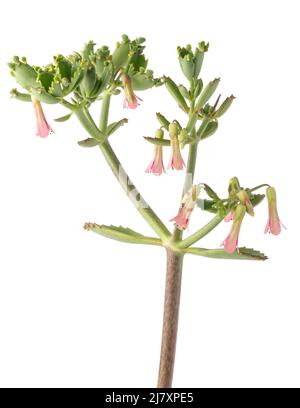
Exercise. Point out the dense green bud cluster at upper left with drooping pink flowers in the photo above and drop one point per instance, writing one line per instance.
(84, 78)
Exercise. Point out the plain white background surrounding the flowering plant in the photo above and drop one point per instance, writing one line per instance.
(77, 310)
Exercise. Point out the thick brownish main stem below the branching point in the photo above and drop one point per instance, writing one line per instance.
(170, 322)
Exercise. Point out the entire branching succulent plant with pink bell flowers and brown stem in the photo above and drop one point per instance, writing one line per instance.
(81, 79)
